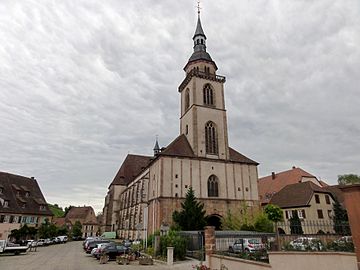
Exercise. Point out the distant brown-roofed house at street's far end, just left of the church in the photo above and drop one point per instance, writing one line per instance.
(86, 216)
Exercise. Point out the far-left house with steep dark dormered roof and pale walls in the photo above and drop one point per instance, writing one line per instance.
(21, 202)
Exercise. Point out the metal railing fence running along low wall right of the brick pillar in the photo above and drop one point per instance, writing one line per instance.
(307, 236)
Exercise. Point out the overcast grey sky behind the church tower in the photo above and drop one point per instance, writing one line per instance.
(84, 83)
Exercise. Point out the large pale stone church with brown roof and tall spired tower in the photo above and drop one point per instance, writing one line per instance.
(148, 189)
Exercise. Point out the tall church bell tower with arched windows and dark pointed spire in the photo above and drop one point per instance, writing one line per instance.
(203, 115)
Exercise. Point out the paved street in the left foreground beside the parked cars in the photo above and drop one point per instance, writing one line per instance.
(70, 256)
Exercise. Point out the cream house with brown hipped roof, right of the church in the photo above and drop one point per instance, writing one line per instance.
(313, 205)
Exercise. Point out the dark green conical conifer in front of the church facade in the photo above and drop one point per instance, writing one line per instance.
(192, 216)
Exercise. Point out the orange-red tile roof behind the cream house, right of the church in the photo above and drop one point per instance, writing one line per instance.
(269, 186)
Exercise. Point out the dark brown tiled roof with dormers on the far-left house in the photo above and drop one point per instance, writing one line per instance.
(21, 195)
